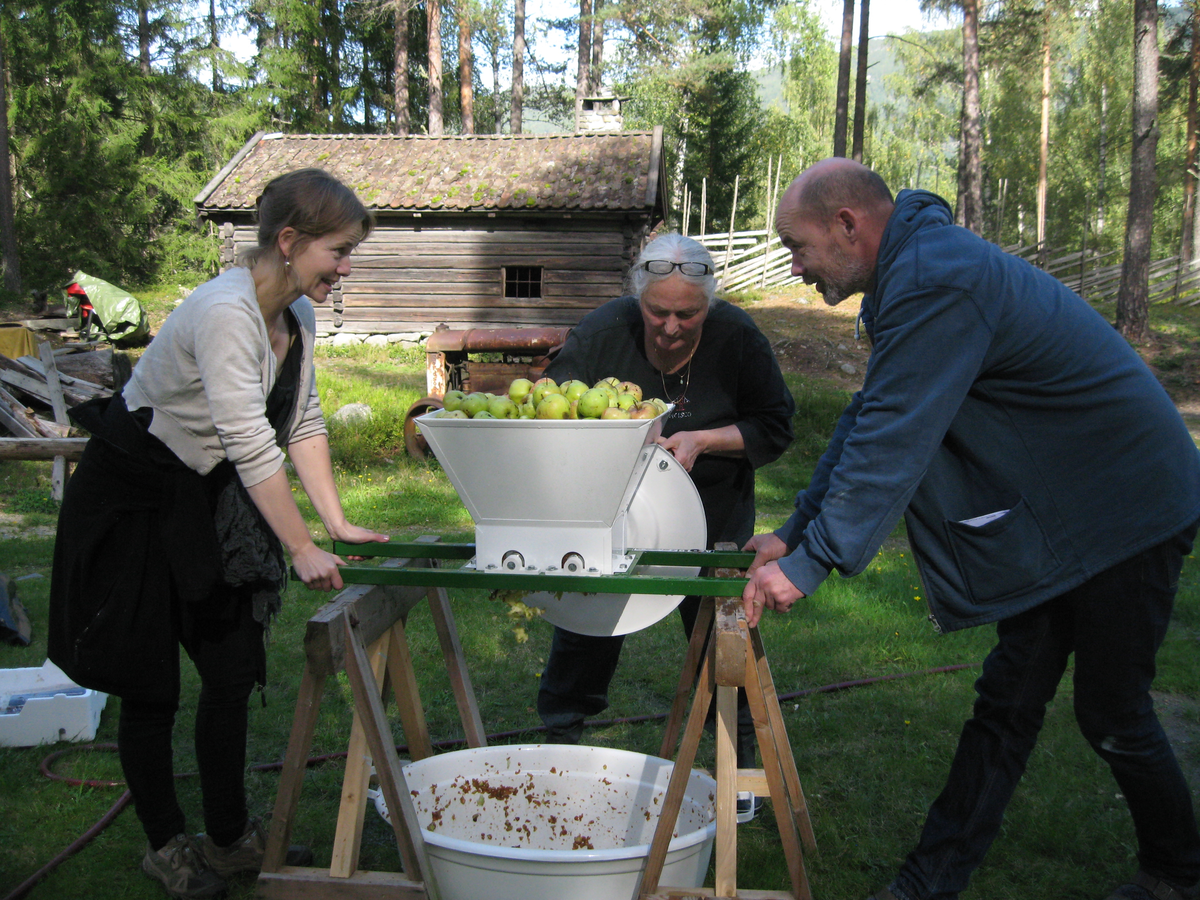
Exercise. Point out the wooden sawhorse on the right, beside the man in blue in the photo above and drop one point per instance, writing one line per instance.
(735, 658)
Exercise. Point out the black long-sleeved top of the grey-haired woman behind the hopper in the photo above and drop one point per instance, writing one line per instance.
(734, 380)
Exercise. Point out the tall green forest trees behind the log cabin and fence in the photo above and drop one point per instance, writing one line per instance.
(116, 113)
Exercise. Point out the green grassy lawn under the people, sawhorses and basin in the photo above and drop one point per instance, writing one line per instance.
(871, 758)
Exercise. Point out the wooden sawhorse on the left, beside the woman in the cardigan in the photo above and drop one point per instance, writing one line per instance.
(363, 633)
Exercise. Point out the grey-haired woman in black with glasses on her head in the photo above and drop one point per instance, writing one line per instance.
(733, 415)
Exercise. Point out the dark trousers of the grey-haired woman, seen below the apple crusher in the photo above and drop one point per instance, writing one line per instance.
(579, 671)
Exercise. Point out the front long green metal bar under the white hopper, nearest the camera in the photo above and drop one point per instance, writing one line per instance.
(469, 579)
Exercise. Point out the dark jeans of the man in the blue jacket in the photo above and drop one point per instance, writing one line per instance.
(1114, 625)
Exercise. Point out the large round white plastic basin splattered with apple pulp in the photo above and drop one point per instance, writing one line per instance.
(555, 823)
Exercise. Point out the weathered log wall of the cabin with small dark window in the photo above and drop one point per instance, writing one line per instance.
(412, 279)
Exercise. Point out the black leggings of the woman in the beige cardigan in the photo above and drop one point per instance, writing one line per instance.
(230, 657)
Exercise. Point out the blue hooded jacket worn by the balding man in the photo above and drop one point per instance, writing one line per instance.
(1024, 441)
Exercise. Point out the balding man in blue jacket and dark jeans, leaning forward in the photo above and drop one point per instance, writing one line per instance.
(1048, 485)
